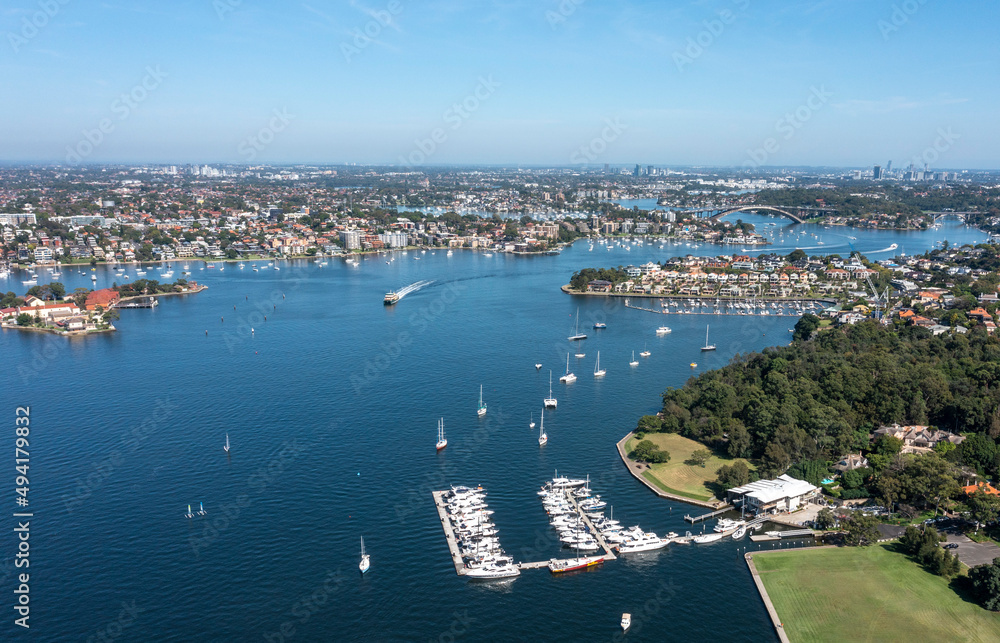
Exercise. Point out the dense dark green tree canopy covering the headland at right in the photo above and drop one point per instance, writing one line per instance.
(818, 399)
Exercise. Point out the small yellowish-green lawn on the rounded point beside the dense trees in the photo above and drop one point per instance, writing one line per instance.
(675, 476)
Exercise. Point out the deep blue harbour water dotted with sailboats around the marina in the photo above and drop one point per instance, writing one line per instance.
(331, 407)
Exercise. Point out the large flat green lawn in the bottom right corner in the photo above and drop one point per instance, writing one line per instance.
(868, 594)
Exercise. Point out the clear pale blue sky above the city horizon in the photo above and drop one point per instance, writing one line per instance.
(712, 82)
